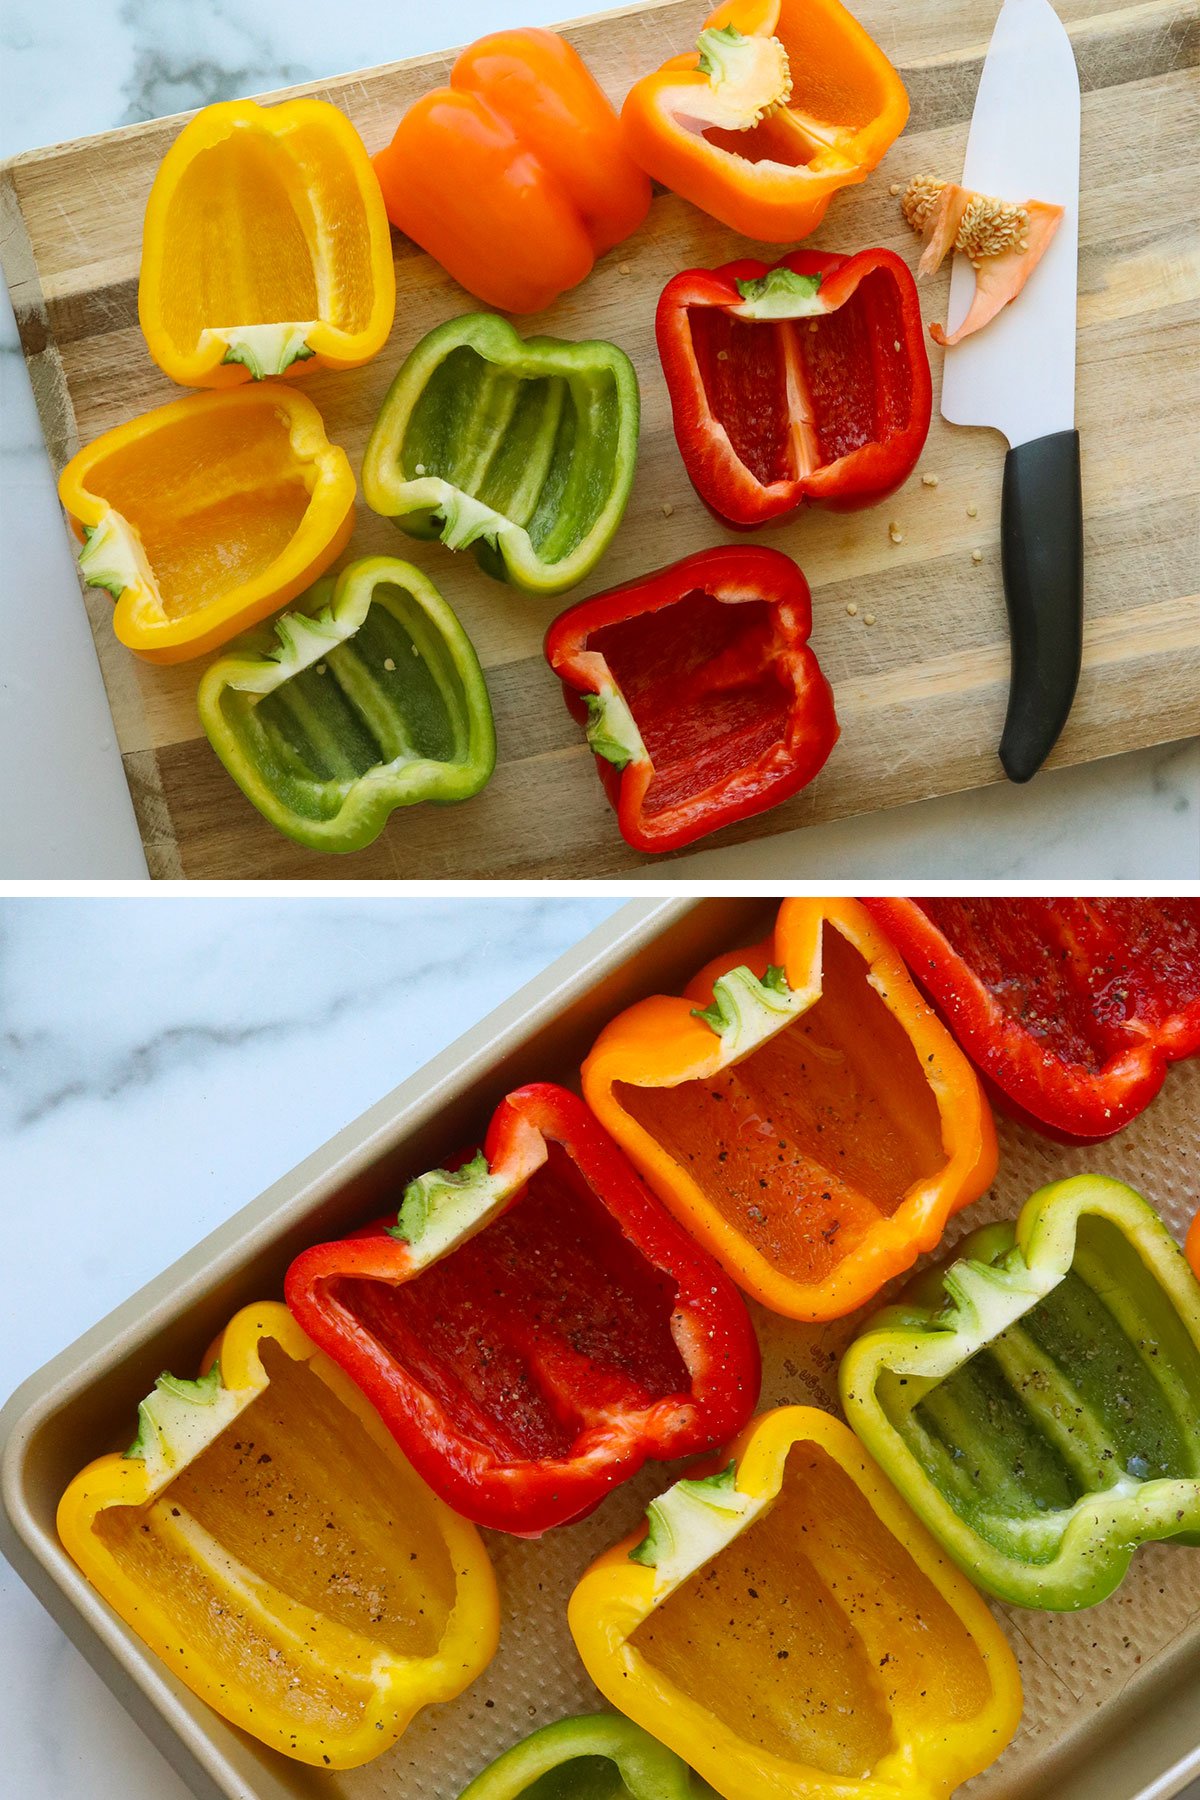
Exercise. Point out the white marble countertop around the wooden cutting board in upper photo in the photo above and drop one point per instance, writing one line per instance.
(66, 809)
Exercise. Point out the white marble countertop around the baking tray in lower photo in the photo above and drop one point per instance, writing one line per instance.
(159, 1068)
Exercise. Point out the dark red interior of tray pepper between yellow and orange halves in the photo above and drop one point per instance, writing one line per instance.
(535, 1331)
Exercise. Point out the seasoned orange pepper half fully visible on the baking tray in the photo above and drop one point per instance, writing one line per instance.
(801, 1111)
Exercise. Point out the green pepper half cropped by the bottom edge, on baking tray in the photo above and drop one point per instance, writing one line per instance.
(596, 1758)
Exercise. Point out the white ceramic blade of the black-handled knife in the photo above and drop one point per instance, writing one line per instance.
(1019, 373)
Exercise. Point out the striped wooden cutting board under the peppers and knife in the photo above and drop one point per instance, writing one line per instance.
(922, 690)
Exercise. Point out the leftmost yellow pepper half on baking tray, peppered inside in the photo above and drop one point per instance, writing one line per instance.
(271, 1497)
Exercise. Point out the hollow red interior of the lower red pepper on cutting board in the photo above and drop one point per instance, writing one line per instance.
(706, 687)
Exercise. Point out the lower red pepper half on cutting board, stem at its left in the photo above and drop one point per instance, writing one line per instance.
(701, 696)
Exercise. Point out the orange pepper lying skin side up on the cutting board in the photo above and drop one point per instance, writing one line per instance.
(514, 177)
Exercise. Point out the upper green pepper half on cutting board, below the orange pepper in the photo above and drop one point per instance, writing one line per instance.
(519, 449)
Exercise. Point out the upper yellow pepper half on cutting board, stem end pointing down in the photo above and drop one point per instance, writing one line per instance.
(267, 247)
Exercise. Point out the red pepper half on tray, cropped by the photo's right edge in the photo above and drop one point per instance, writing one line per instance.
(1071, 1009)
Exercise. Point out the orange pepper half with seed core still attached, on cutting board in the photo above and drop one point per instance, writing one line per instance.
(784, 103)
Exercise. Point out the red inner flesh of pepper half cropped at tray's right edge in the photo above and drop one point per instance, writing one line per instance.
(1075, 973)
